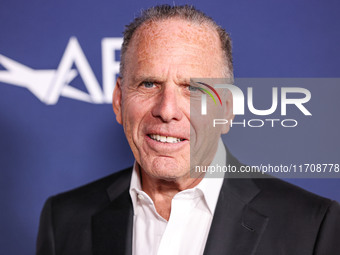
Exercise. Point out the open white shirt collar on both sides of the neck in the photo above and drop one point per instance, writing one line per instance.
(209, 187)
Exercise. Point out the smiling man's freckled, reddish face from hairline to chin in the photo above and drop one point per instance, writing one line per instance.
(152, 102)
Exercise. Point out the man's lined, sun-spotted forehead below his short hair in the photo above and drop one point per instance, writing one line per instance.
(175, 37)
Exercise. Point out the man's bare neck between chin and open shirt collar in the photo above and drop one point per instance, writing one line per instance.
(162, 191)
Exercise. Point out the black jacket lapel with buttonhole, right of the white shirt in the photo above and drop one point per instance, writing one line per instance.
(236, 227)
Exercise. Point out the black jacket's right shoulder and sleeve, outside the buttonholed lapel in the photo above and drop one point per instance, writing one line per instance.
(297, 219)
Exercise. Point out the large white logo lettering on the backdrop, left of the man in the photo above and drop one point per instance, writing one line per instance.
(49, 85)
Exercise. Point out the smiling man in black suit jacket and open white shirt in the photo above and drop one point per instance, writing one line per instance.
(156, 207)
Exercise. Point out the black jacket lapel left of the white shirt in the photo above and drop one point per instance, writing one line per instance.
(112, 226)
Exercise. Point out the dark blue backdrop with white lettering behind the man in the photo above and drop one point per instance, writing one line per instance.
(52, 139)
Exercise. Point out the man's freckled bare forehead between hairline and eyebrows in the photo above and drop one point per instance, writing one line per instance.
(174, 42)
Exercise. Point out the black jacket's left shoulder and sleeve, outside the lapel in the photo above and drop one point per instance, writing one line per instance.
(66, 219)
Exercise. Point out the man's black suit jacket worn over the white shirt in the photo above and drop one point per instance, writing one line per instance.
(252, 216)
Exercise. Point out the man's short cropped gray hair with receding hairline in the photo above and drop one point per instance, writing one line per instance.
(185, 12)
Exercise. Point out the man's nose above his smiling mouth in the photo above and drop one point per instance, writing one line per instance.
(167, 107)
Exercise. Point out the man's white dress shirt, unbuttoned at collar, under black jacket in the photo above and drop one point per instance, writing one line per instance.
(191, 215)
